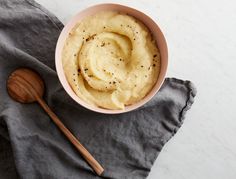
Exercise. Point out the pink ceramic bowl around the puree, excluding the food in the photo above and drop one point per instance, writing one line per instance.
(153, 27)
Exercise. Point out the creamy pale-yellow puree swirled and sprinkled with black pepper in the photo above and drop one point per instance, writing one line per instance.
(110, 60)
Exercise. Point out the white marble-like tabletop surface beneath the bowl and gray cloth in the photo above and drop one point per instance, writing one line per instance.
(201, 37)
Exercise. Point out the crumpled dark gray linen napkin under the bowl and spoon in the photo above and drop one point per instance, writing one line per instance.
(31, 146)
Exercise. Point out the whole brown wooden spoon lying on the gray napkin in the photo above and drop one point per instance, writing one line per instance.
(26, 86)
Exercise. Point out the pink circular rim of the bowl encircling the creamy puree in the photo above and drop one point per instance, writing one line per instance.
(60, 71)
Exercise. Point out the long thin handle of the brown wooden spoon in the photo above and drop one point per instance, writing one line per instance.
(87, 156)
